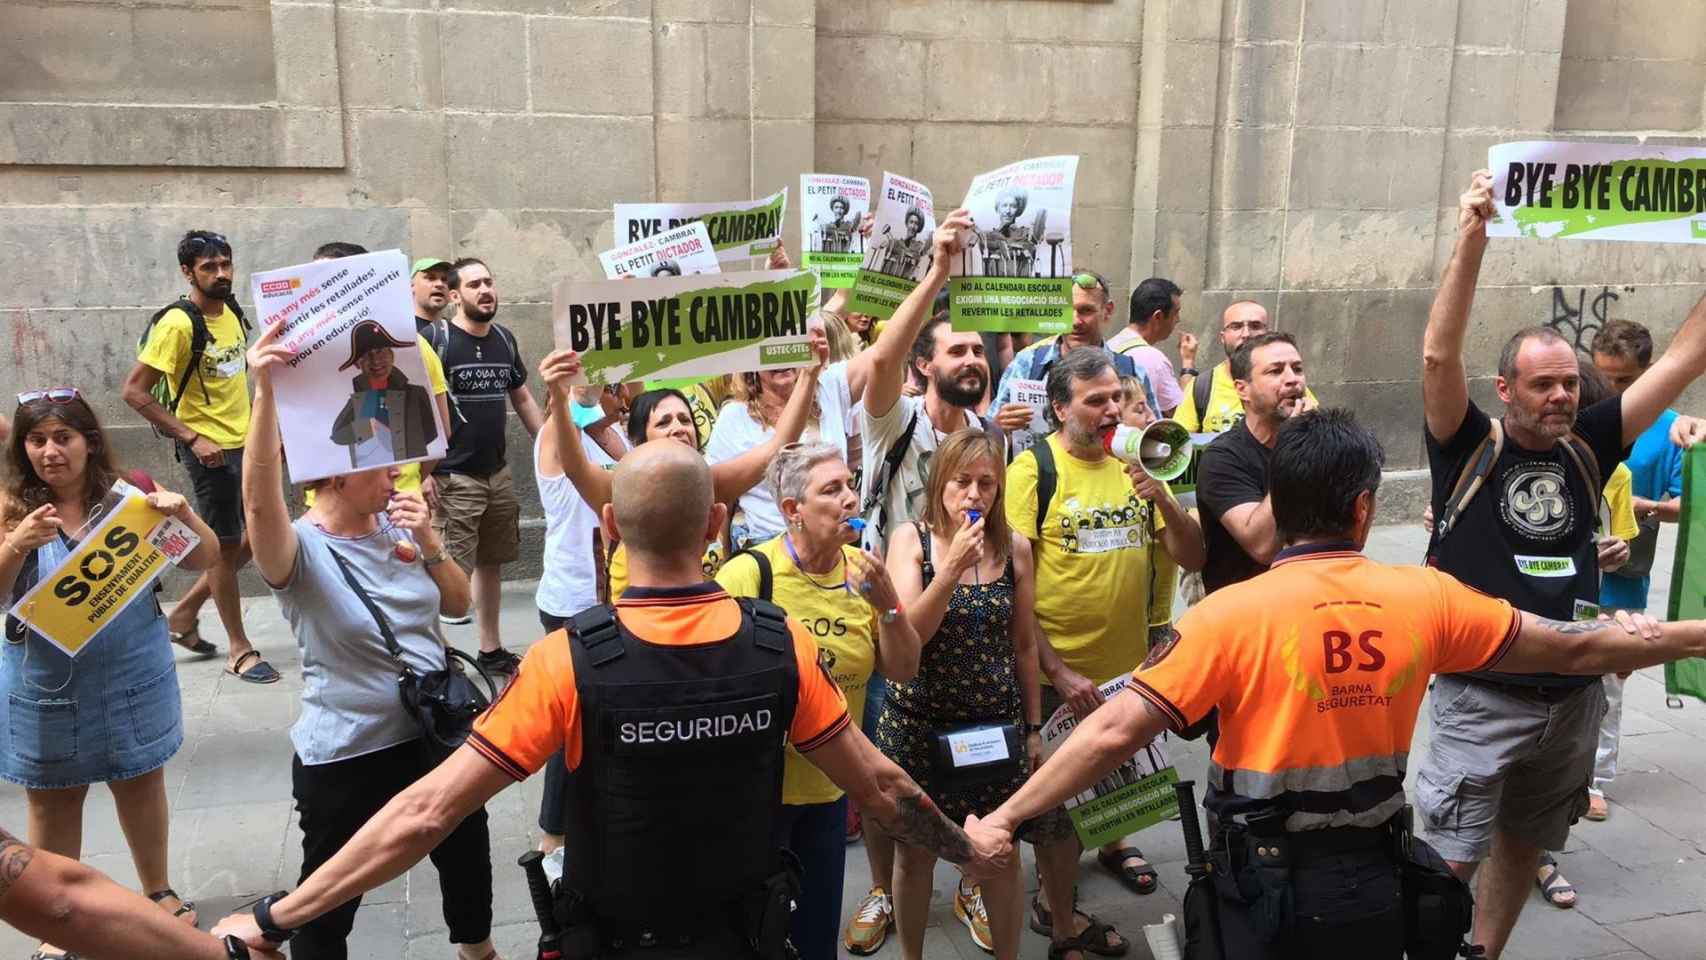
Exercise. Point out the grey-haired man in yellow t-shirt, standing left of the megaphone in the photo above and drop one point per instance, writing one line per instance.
(1094, 533)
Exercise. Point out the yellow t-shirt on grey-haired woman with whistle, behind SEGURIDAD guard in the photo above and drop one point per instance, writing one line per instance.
(847, 644)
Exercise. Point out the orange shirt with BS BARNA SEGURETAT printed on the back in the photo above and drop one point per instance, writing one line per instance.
(1318, 669)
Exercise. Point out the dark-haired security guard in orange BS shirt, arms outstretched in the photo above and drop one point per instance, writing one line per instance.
(1318, 669)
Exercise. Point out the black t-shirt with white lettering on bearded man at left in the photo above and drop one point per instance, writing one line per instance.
(480, 371)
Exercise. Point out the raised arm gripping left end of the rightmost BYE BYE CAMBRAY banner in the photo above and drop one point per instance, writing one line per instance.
(1444, 381)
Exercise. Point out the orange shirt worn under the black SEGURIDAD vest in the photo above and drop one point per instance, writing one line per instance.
(540, 712)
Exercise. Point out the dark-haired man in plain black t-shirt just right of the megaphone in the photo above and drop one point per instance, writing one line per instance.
(1233, 475)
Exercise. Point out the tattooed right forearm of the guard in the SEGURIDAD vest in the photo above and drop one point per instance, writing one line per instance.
(895, 801)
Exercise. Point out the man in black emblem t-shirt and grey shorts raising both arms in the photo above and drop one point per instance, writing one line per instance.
(1512, 756)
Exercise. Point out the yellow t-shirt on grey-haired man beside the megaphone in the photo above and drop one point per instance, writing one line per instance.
(1096, 570)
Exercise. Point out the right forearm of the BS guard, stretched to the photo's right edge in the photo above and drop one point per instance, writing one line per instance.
(1599, 647)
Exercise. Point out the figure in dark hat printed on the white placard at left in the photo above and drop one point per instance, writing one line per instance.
(386, 419)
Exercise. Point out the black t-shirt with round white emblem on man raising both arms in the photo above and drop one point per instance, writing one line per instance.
(1529, 535)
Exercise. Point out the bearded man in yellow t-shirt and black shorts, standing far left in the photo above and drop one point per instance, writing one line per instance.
(197, 347)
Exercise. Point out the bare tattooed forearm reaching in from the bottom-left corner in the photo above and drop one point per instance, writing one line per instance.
(78, 908)
